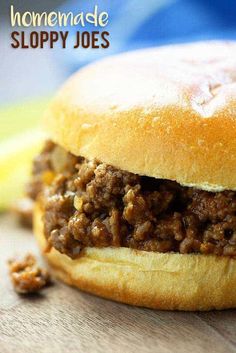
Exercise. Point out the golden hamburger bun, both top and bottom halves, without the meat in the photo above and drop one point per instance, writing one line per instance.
(167, 113)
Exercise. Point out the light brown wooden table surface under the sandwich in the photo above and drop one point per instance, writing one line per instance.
(64, 319)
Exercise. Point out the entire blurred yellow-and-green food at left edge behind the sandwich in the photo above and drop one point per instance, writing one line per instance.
(20, 141)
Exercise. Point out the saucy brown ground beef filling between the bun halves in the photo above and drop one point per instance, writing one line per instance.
(90, 203)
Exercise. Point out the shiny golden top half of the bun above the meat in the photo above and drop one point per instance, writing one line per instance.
(166, 112)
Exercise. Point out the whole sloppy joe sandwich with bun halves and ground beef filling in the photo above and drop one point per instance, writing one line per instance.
(136, 188)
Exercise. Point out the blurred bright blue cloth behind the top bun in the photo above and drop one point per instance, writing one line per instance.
(142, 23)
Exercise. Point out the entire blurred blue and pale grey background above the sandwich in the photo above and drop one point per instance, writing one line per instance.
(132, 24)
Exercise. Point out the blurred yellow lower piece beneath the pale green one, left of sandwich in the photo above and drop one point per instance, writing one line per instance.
(16, 156)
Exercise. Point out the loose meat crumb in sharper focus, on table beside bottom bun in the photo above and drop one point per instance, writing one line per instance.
(26, 276)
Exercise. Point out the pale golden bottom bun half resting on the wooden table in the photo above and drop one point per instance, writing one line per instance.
(167, 281)
